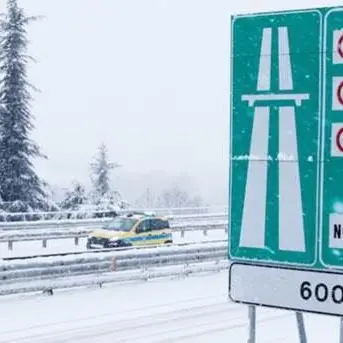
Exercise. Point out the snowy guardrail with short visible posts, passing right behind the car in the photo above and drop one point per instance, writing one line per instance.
(45, 236)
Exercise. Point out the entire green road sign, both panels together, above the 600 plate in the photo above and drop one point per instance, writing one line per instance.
(285, 194)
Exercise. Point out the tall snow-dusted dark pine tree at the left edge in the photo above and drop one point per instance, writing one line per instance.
(18, 179)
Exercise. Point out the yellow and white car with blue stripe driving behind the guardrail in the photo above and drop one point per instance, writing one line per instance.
(133, 229)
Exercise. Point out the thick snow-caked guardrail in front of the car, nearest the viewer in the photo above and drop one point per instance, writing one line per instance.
(46, 274)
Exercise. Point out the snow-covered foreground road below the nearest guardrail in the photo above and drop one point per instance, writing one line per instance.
(194, 309)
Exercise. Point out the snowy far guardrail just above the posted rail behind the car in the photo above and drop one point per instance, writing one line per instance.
(94, 223)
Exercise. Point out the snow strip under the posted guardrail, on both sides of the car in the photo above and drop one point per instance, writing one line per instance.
(56, 246)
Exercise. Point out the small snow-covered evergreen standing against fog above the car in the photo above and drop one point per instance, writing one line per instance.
(100, 175)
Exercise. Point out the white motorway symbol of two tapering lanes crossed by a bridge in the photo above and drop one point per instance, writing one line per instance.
(291, 227)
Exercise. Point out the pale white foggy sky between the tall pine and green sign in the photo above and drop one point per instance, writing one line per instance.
(150, 78)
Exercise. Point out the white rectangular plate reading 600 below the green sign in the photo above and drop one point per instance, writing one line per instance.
(300, 290)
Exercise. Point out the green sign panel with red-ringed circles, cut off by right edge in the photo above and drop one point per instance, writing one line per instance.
(332, 185)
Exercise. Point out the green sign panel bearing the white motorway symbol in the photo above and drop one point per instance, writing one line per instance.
(275, 121)
